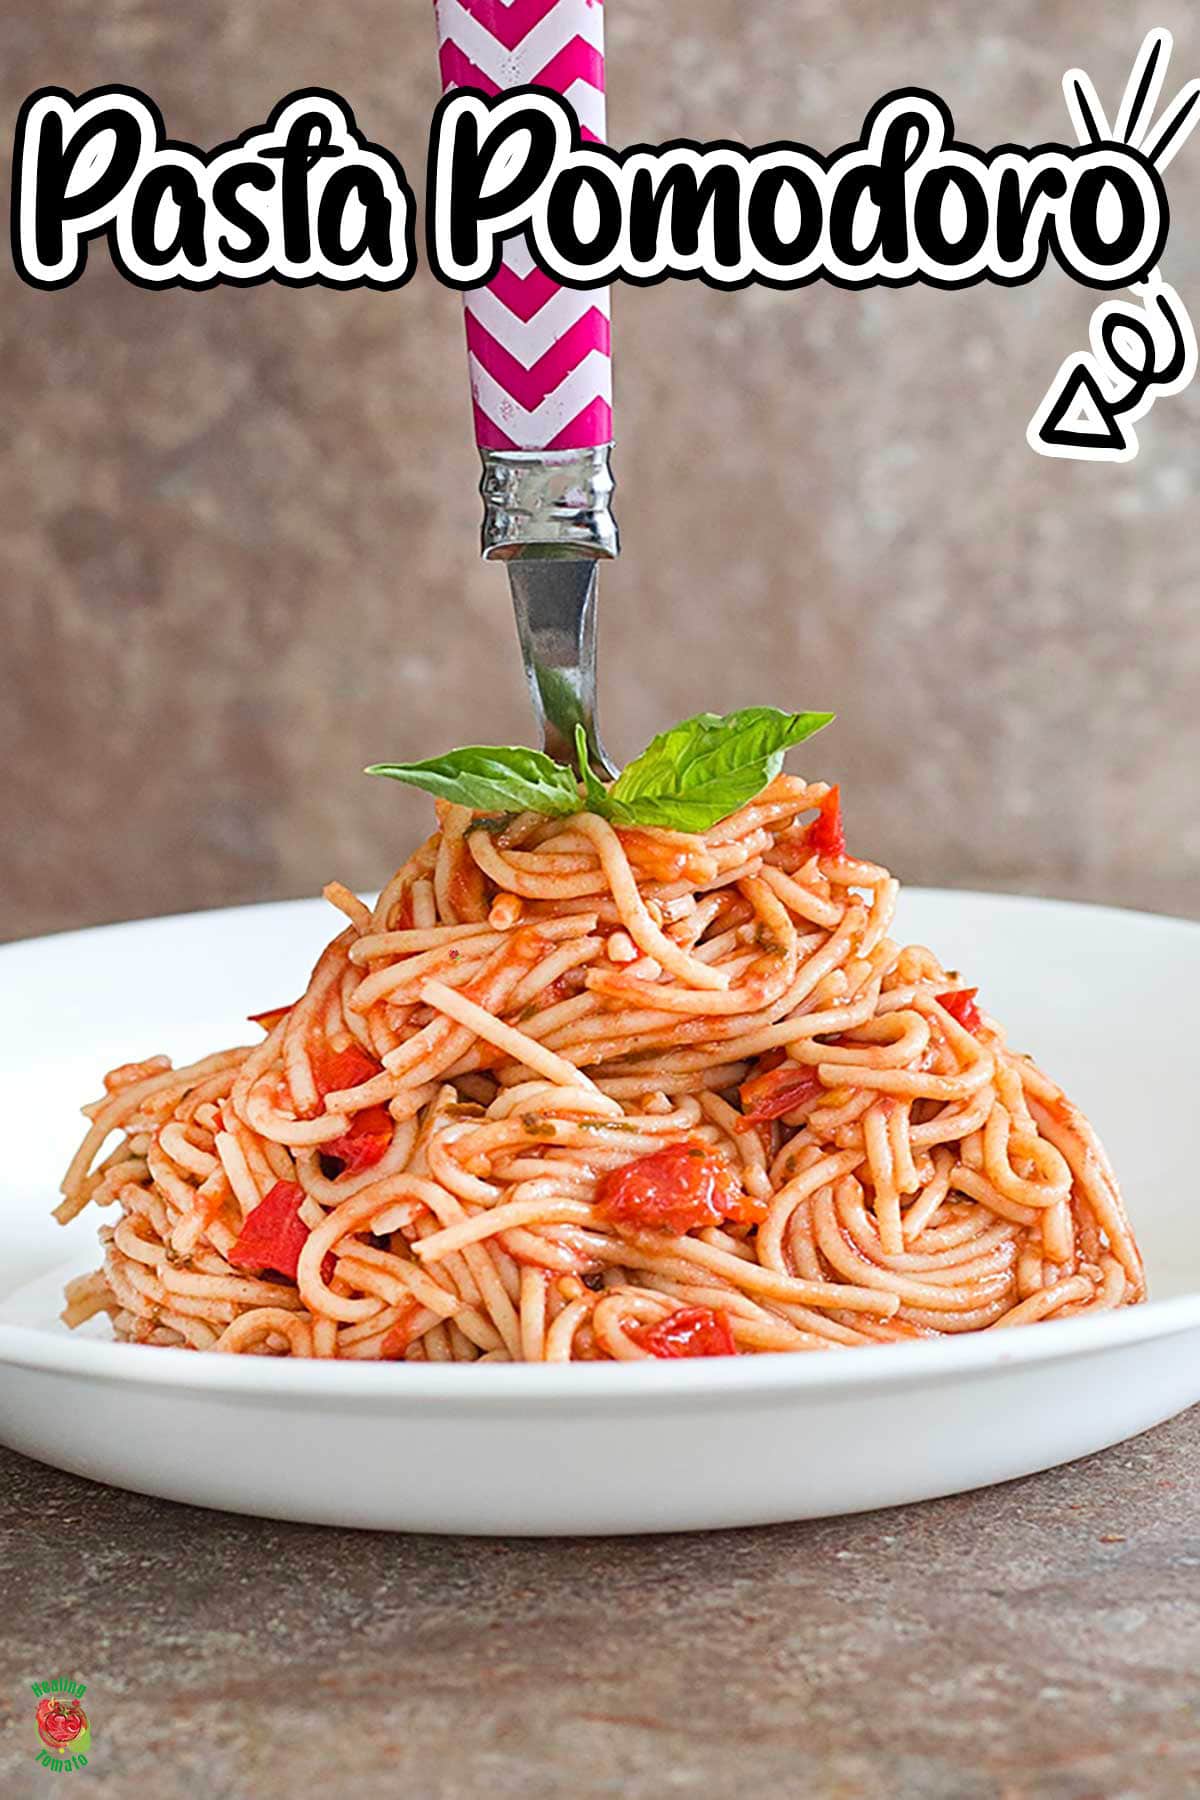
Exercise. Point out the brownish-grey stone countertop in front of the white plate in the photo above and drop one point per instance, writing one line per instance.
(1032, 1641)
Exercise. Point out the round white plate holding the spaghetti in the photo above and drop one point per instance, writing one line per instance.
(1100, 998)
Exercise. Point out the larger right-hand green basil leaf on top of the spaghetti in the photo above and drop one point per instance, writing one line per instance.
(708, 768)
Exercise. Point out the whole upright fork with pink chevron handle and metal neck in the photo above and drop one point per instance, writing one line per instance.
(542, 384)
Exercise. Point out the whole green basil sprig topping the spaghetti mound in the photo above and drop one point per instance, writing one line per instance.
(686, 780)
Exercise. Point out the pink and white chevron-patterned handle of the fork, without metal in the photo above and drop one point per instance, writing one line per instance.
(541, 355)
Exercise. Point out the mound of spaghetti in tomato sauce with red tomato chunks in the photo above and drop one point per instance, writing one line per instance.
(578, 1092)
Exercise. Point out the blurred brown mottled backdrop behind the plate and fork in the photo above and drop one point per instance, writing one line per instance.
(238, 528)
